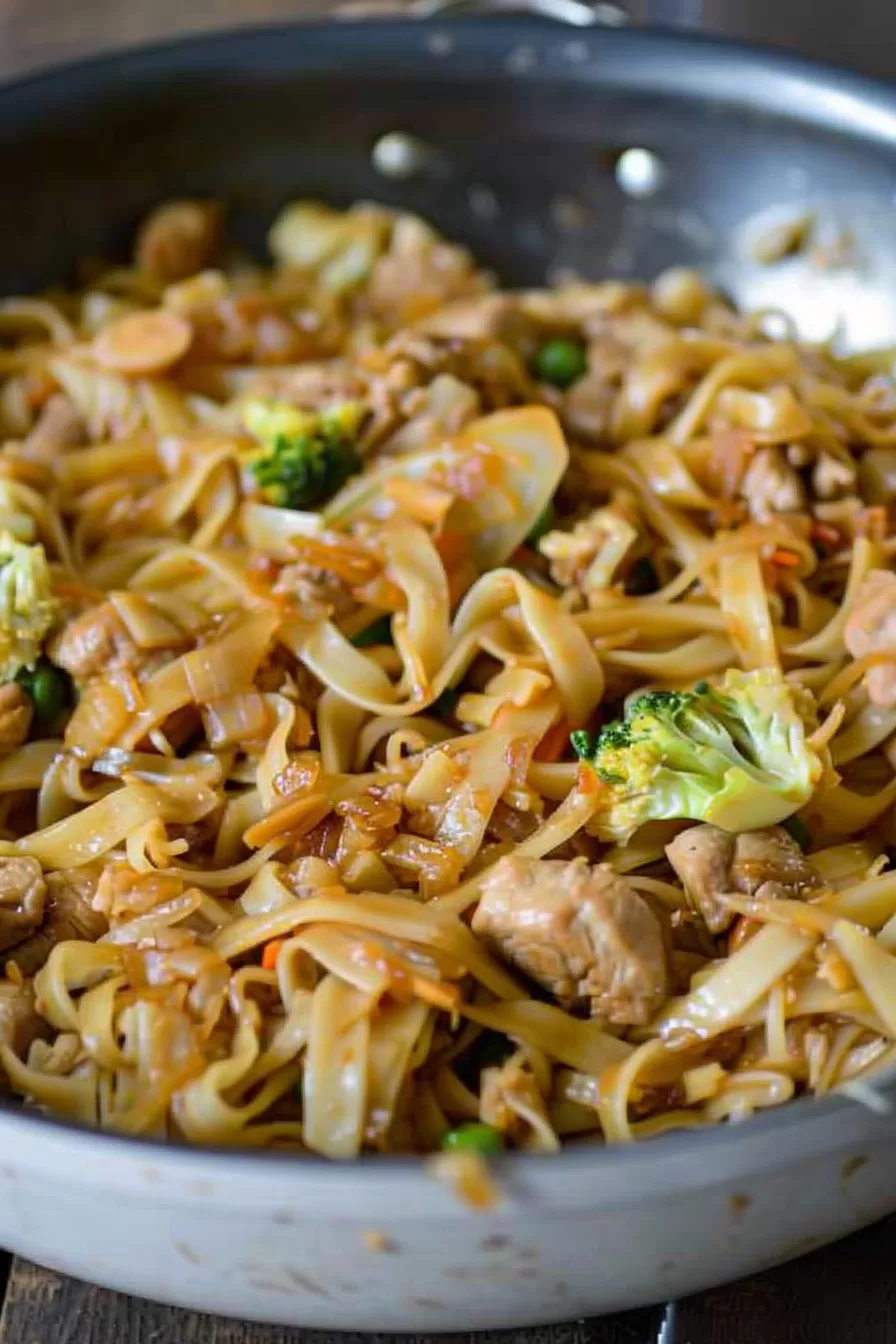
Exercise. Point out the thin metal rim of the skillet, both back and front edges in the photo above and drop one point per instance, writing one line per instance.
(115, 67)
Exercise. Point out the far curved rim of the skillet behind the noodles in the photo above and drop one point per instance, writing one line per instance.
(859, 104)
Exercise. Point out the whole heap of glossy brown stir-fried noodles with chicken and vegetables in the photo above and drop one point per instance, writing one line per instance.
(316, 585)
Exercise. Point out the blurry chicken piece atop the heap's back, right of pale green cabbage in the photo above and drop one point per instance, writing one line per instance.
(420, 275)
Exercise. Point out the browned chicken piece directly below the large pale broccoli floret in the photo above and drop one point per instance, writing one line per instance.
(762, 865)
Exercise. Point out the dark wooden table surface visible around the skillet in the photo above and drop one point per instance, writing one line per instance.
(843, 1294)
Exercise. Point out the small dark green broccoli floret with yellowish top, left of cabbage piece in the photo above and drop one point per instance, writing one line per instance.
(307, 458)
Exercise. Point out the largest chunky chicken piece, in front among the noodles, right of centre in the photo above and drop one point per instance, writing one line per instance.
(581, 932)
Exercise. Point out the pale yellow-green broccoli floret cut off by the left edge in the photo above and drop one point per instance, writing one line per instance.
(28, 607)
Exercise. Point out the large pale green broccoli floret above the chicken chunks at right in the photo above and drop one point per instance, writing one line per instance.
(735, 756)
